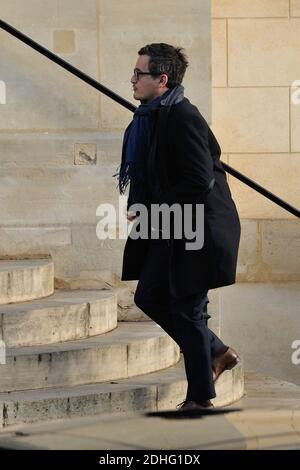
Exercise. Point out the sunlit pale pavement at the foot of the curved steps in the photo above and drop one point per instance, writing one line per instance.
(267, 418)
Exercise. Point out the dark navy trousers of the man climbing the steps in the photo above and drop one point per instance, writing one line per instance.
(182, 318)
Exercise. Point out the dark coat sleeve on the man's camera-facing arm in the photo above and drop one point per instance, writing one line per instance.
(190, 153)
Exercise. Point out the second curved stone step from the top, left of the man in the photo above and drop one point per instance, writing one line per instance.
(63, 316)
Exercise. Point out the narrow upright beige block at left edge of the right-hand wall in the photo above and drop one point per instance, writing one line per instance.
(219, 53)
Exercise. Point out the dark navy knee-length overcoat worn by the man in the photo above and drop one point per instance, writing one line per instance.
(186, 158)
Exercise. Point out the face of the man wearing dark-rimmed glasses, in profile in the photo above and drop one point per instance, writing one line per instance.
(147, 87)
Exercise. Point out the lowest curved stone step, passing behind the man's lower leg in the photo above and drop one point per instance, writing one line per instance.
(156, 391)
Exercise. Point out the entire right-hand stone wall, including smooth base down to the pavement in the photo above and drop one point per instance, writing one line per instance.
(256, 60)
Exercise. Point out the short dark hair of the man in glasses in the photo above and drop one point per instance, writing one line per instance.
(166, 59)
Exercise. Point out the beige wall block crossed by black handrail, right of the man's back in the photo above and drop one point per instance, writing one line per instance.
(277, 173)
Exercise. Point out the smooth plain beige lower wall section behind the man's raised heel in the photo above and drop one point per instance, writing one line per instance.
(261, 321)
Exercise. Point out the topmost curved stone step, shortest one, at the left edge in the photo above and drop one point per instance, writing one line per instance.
(26, 279)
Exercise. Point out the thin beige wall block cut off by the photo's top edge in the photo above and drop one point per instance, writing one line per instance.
(246, 9)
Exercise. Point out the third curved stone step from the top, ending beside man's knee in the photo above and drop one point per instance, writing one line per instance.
(131, 349)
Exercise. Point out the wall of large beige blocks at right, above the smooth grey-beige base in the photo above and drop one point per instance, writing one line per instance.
(256, 59)
